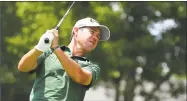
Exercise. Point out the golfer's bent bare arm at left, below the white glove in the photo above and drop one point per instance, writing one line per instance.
(29, 61)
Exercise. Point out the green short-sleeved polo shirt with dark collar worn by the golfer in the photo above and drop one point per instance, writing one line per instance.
(52, 83)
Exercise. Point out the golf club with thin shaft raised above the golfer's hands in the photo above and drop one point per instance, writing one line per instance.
(60, 22)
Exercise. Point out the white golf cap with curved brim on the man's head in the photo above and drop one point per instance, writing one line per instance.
(90, 22)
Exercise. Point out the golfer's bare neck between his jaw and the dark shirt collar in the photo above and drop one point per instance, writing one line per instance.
(76, 48)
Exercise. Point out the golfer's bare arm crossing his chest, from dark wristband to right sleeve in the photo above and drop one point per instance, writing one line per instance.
(73, 69)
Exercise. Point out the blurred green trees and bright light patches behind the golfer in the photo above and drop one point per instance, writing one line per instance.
(144, 60)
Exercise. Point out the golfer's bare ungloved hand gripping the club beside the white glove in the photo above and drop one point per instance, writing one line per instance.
(56, 37)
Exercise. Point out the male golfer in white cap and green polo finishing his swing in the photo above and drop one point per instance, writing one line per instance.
(63, 73)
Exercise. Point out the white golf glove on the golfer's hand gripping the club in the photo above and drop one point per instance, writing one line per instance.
(42, 46)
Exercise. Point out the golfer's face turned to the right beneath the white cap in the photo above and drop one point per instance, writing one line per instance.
(88, 37)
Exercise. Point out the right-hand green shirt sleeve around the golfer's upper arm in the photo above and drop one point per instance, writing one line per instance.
(95, 70)
